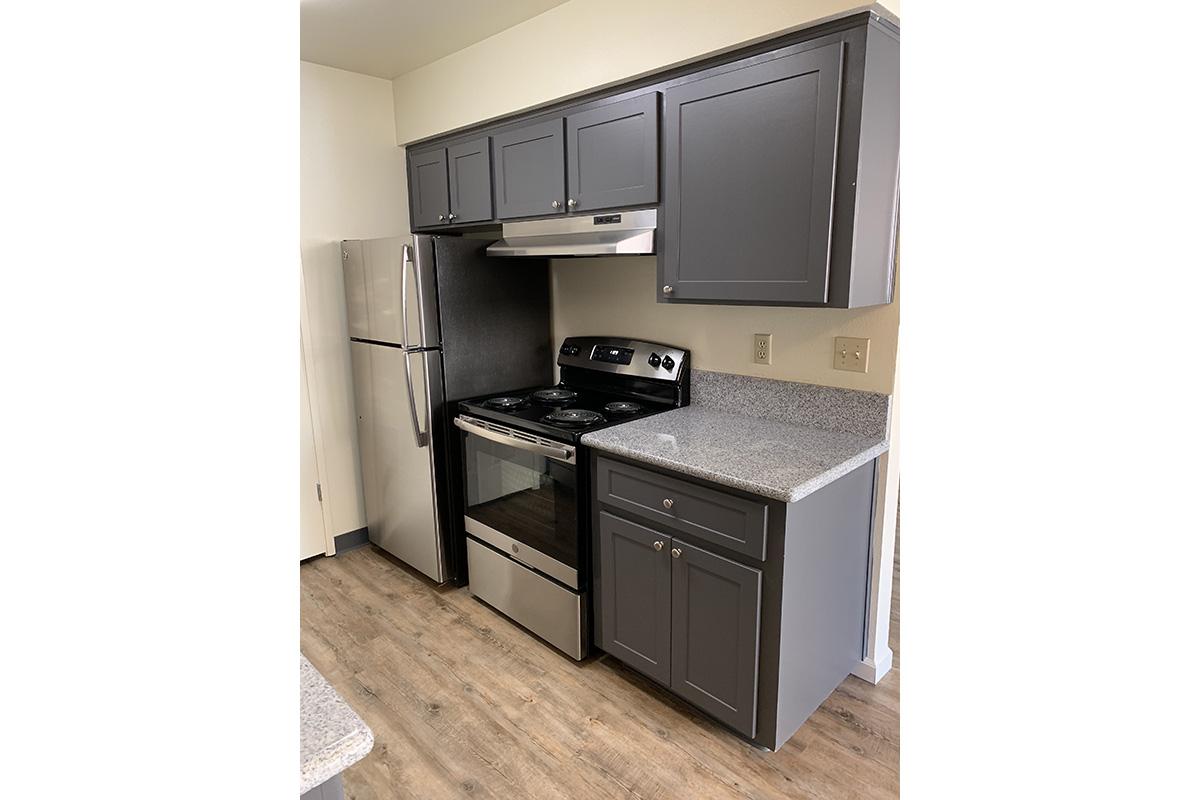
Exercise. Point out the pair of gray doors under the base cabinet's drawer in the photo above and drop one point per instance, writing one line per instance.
(682, 616)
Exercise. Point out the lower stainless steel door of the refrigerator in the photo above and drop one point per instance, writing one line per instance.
(405, 521)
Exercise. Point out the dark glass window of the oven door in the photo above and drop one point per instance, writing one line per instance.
(525, 496)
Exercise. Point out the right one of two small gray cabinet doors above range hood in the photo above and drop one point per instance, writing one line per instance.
(613, 155)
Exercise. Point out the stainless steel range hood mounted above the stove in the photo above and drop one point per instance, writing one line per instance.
(619, 233)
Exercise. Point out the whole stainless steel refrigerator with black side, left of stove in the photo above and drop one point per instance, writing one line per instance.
(433, 322)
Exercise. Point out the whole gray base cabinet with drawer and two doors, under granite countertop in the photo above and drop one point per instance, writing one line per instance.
(757, 643)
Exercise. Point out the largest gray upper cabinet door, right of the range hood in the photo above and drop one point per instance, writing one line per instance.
(749, 182)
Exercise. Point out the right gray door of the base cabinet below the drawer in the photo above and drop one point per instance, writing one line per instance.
(715, 641)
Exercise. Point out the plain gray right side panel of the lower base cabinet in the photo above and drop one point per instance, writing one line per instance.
(826, 562)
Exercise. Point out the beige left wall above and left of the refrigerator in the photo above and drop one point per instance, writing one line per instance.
(352, 187)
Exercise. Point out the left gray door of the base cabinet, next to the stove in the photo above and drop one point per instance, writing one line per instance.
(635, 592)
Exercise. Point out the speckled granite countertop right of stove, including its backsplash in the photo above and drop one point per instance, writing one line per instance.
(773, 438)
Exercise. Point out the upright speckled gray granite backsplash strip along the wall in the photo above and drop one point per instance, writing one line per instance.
(820, 407)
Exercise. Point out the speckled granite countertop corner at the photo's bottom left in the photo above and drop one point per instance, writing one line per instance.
(332, 736)
